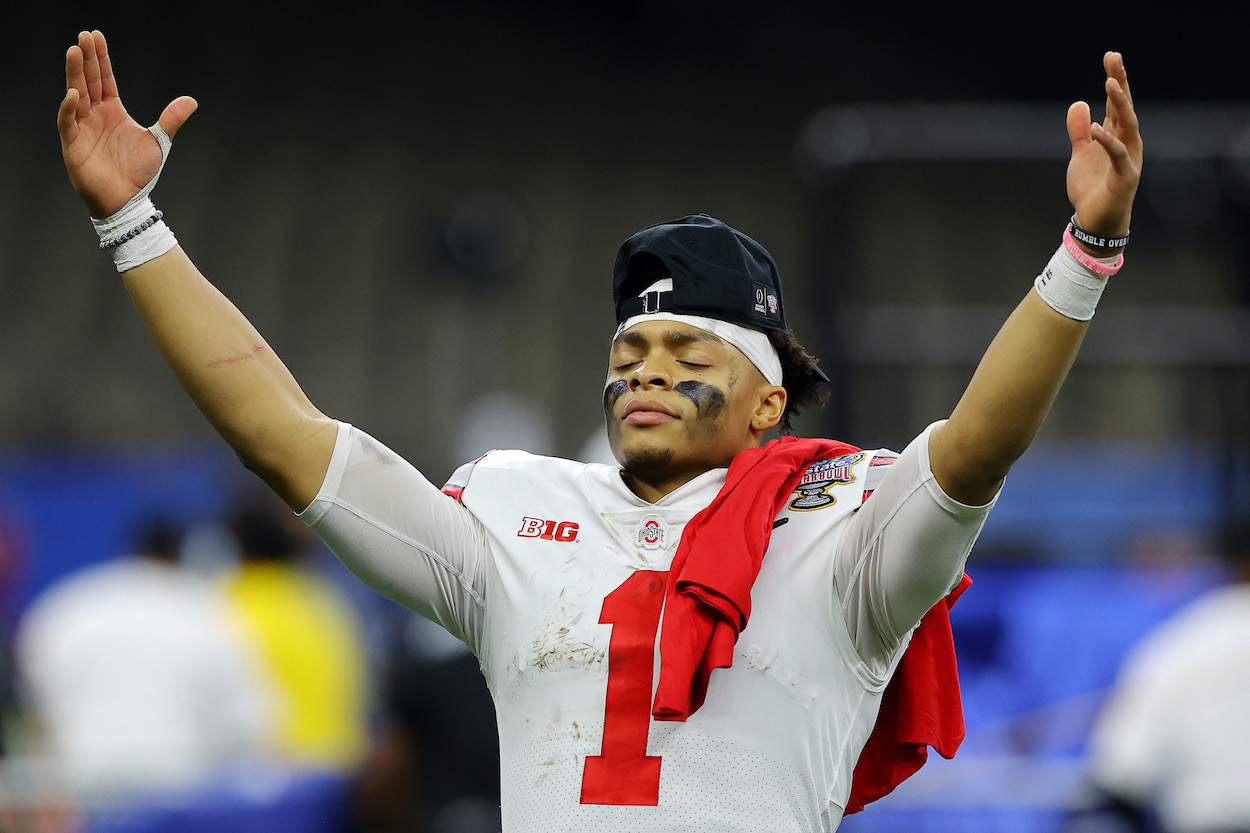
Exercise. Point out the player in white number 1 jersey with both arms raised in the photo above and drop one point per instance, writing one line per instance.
(557, 573)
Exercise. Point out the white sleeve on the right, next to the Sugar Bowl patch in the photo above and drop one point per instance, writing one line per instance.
(903, 551)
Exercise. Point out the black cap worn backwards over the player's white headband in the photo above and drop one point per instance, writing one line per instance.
(717, 272)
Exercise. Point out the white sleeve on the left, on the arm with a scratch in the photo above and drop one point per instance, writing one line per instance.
(402, 536)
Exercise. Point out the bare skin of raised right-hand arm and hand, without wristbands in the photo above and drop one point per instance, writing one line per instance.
(1024, 367)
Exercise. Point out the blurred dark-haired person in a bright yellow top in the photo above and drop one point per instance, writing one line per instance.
(307, 636)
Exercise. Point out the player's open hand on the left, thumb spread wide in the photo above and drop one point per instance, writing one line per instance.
(108, 154)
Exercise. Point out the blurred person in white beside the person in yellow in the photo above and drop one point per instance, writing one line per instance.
(136, 681)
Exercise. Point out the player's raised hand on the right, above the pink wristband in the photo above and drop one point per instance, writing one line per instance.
(1106, 167)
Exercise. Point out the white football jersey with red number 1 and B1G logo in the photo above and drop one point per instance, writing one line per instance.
(554, 573)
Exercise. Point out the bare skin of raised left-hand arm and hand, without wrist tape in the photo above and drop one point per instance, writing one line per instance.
(229, 371)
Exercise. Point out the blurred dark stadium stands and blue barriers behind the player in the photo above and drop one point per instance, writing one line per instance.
(419, 204)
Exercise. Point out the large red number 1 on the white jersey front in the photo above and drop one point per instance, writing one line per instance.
(624, 774)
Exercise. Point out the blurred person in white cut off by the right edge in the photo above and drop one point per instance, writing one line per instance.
(1169, 751)
